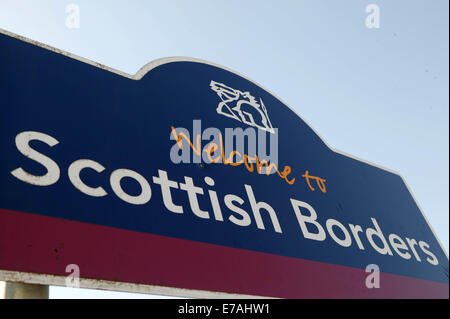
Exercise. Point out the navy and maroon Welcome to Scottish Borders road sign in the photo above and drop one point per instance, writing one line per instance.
(189, 179)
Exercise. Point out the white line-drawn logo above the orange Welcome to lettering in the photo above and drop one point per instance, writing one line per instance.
(242, 106)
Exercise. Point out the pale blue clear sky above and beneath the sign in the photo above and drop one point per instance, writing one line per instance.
(378, 94)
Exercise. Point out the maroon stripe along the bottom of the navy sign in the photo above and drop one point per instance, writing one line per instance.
(39, 244)
